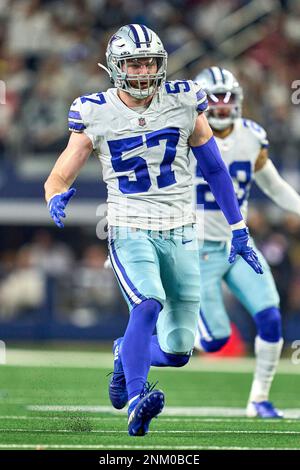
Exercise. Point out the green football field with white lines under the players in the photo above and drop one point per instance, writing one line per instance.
(59, 400)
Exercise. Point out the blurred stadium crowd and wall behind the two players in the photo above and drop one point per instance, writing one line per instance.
(53, 284)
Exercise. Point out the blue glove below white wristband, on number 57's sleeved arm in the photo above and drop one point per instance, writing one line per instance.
(240, 246)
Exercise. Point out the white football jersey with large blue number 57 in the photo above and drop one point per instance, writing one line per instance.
(144, 157)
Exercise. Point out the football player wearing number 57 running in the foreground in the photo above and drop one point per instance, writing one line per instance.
(142, 130)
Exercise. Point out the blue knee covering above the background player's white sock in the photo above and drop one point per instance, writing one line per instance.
(268, 323)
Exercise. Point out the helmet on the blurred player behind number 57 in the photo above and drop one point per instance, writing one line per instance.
(225, 96)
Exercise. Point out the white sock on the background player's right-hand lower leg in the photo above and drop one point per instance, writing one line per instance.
(267, 358)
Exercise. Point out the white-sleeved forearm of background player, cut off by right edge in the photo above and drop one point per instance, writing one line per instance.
(276, 188)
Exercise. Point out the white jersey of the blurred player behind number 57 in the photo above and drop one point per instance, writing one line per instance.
(239, 151)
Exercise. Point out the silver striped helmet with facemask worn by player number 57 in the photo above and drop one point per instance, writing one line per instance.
(130, 42)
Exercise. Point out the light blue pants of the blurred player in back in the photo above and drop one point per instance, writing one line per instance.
(255, 292)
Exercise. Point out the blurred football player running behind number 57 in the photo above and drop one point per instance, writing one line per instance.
(244, 148)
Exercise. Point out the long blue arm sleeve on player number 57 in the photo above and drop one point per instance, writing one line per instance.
(213, 168)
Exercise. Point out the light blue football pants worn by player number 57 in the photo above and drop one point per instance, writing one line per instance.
(161, 265)
